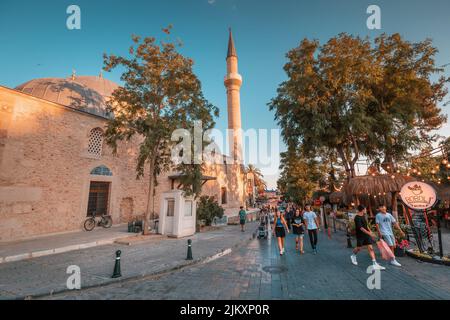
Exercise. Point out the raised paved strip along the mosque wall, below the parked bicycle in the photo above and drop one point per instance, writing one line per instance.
(42, 246)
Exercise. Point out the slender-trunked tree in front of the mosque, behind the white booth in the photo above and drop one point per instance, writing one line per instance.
(161, 93)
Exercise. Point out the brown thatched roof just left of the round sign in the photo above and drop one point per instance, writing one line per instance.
(376, 185)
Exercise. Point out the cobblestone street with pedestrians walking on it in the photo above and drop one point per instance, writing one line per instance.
(256, 271)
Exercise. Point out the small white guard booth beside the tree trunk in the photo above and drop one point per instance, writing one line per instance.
(177, 217)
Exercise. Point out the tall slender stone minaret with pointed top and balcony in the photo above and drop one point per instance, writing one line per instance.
(233, 82)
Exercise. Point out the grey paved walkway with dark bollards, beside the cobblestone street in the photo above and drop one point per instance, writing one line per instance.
(47, 274)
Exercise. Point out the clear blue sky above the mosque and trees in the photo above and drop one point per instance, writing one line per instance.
(35, 42)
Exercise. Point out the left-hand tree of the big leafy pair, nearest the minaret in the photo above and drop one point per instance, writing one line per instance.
(321, 105)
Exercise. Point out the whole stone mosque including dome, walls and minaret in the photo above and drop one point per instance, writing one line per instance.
(55, 167)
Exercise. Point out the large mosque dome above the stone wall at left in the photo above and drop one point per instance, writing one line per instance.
(84, 93)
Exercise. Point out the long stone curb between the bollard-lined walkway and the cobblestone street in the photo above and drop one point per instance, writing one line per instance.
(112, 281)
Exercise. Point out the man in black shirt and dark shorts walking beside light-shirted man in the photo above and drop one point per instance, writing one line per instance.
(364, 238)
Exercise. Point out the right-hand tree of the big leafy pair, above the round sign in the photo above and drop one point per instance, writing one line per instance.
(404, 101)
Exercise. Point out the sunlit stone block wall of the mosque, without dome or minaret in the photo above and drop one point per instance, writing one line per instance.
(46, 164)
